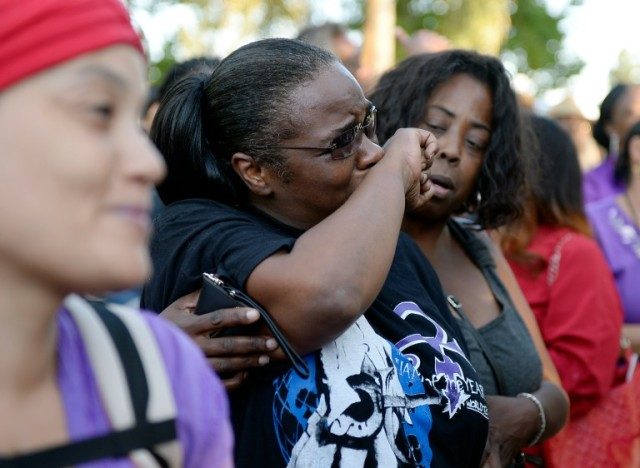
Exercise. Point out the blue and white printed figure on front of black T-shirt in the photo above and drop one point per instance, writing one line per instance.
(364, 404)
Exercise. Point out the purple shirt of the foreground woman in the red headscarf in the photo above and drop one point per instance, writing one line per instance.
(203, 415)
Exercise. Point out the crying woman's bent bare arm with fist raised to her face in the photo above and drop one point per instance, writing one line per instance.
(336, 269)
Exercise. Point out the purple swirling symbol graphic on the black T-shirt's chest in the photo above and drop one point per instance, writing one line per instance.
(453, 392)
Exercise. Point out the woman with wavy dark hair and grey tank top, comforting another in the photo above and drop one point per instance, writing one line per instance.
(466, 101)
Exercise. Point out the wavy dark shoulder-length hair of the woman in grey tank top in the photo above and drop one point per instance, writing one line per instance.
(401, 97)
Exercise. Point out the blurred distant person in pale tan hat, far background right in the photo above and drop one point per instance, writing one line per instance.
(572, 120)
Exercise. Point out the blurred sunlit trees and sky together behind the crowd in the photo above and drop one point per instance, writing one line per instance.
(551, 47)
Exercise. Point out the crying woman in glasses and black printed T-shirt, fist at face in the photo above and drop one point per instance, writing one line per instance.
(297, 202)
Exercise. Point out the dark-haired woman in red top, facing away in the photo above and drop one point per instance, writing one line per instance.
(563, 274)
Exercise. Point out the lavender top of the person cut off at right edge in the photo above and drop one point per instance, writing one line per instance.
(619, 239)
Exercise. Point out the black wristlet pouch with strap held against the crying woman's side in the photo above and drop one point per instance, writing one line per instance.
(216, 295)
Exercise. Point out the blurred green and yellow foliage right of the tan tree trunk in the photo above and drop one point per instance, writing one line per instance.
(522, 31)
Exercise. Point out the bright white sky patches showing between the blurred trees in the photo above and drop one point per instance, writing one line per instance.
(596, 32)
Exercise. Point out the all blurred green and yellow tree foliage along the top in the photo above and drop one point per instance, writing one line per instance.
(522, 31)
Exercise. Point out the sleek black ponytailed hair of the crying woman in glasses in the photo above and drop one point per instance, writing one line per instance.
(242, 106)
